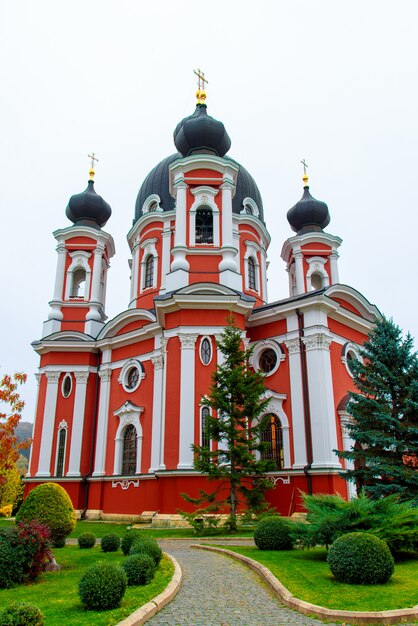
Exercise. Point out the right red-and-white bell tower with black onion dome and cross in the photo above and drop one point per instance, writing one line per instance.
(312, 254)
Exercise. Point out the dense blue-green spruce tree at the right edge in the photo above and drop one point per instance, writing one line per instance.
(385, 415)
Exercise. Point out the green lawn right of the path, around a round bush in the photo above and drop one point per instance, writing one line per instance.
(307, 576)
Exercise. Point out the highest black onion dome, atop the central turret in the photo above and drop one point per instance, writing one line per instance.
(201, 133)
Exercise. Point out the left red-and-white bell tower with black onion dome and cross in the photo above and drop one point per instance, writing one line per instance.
(84, 251)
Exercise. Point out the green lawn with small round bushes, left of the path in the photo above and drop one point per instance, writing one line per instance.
(56, 593)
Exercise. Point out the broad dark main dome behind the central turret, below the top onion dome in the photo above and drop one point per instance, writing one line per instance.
(158, 180)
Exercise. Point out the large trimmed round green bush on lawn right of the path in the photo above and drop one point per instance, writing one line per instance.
(360, 559)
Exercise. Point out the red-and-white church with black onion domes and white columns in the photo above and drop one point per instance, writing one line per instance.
(119, 401)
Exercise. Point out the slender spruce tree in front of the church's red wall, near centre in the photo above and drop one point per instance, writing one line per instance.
(233, 431)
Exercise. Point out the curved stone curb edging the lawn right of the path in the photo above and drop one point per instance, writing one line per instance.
(289, 600)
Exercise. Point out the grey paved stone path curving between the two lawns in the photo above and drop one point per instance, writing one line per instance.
(218, 591)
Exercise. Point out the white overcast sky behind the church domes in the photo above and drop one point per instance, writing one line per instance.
(333, 82)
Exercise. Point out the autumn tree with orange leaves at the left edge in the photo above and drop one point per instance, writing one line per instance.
(11, 406)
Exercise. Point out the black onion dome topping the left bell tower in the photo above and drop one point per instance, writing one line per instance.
(88, 208)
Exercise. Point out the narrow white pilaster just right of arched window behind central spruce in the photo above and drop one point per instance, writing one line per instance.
(296, 394)
